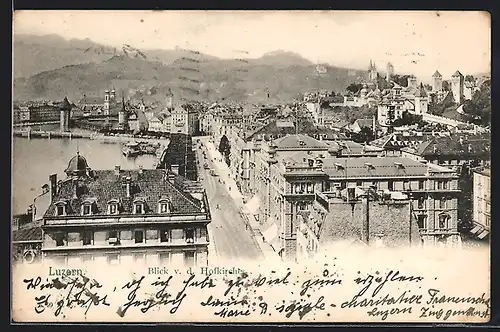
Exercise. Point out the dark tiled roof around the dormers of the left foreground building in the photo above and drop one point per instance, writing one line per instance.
(105, 186)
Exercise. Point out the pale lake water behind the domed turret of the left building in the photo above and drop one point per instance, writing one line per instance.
(34, 160)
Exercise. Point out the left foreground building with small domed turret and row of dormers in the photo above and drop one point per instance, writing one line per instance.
(119, 216)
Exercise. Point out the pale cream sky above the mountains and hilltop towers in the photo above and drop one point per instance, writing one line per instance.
(414, 42)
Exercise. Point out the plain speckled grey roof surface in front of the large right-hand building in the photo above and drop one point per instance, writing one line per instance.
(389, 222)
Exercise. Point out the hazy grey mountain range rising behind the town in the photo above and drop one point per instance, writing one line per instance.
(51, 67)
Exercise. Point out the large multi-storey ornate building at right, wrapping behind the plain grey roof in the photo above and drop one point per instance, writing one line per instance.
(290, 183)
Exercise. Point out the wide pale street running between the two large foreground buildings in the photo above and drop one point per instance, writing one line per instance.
(229, 236)
